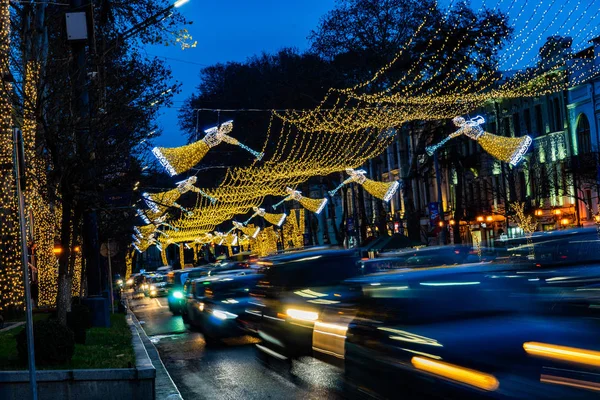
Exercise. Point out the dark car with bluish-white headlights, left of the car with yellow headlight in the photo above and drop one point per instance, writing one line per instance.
(218, 304)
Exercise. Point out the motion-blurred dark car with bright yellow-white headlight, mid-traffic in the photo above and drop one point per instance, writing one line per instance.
(288, 300)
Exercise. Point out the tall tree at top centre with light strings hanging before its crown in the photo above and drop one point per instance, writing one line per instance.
(361, 36)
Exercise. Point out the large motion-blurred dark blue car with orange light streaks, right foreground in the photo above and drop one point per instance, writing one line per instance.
(456, 333)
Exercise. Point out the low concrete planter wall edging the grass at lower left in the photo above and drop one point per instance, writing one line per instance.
(89, 384)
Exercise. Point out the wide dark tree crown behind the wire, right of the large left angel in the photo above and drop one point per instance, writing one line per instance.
(285, 79)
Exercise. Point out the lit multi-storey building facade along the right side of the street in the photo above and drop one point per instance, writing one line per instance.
(558, 179)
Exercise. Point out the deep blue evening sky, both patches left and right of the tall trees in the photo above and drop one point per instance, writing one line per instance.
(233, 30)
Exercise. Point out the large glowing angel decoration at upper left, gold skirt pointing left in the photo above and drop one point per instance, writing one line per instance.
(177, 160)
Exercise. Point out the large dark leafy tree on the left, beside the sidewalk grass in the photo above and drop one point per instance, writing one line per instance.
(89, 149)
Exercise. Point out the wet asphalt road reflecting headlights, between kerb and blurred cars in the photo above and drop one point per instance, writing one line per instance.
(230, 371)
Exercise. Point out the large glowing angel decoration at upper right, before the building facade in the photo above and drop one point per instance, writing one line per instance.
(507, 149)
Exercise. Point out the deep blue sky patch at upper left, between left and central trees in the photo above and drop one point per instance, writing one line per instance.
(233, 30)
